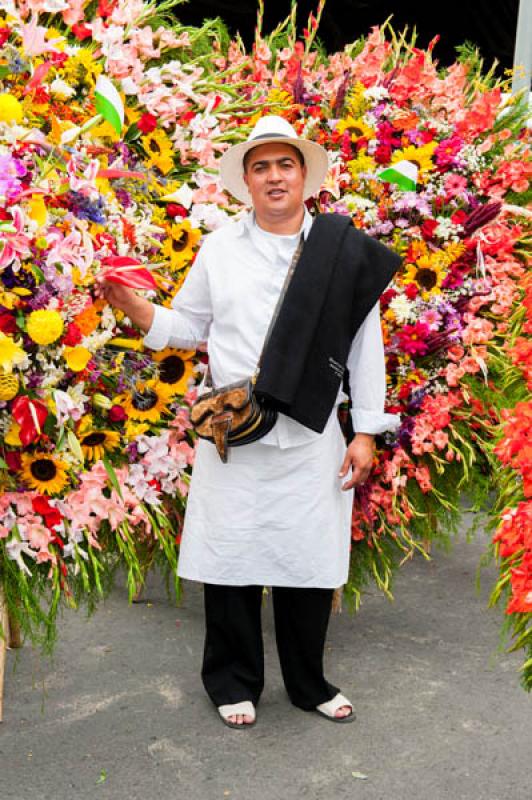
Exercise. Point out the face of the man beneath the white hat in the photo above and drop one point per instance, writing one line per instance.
(275, 179)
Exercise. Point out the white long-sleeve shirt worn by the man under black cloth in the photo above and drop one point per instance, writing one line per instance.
(227, 302)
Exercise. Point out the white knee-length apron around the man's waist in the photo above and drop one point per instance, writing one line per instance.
(270, 516)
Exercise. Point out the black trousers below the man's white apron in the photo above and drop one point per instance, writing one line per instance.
(233, 661)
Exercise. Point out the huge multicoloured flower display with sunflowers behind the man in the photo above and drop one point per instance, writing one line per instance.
(112, 118)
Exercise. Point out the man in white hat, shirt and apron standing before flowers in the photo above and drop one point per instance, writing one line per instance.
(279, 512)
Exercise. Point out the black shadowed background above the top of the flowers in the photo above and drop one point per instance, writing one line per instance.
(490, 24)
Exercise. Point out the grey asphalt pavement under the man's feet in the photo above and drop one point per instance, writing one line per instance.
(120, 714)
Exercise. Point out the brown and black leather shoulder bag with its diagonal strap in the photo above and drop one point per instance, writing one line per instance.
(233, 415)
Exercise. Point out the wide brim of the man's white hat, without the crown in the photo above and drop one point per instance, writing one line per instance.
(232, 165)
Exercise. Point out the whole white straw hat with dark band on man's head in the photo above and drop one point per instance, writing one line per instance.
(267, 130)
